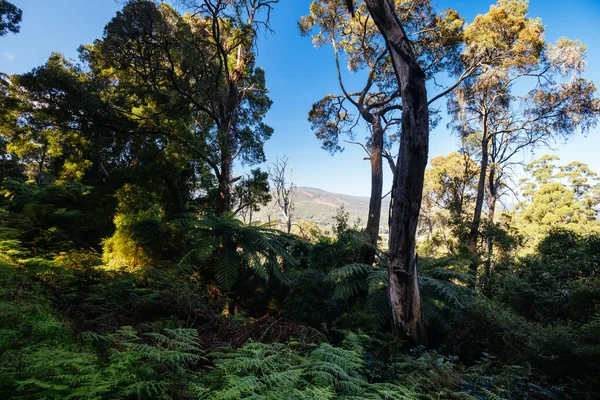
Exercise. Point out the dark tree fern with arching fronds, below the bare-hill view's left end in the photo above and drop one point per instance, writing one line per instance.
(230, 247)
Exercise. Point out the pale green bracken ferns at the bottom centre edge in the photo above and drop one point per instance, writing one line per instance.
(274, 371)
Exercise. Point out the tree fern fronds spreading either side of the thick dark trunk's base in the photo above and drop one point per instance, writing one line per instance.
(442, 282)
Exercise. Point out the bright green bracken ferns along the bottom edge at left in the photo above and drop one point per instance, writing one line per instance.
(124, 365)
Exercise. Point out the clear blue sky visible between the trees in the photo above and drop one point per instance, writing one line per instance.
(298, 75)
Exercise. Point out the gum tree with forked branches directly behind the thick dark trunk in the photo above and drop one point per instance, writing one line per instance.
(435, 38)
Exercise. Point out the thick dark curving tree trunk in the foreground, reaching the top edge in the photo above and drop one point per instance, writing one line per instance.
(404, 296)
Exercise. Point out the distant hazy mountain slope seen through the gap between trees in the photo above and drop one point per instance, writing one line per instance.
(320, 206)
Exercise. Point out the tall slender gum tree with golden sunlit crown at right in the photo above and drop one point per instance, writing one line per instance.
(509, 49)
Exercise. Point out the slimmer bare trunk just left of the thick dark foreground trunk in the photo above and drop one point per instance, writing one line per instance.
(374, 218)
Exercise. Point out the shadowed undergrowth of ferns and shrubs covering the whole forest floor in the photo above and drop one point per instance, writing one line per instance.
(244, 311)
